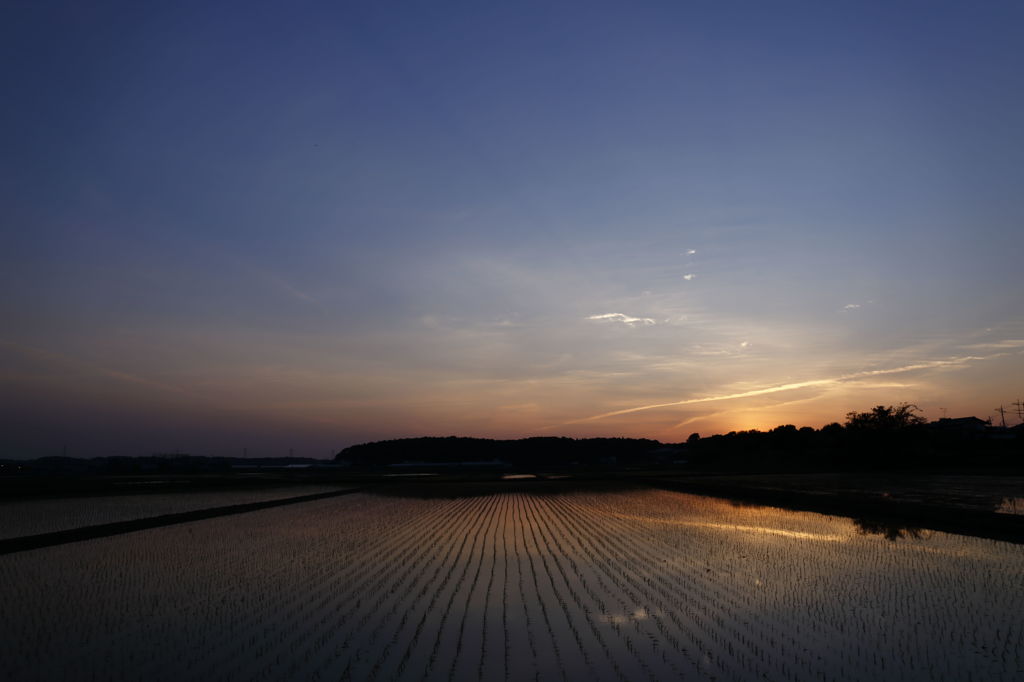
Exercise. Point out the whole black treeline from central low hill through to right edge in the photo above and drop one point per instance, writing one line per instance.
(891, 440)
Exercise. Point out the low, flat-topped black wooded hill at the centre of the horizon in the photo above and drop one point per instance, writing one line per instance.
(482, 452)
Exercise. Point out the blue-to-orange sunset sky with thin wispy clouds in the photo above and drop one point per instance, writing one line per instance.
(269, 228)
